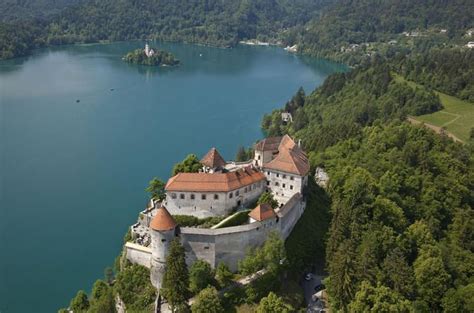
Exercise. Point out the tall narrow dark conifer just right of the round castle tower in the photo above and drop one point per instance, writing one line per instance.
(176, 278)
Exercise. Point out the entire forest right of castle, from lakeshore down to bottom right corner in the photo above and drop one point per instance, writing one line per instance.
(402, 225)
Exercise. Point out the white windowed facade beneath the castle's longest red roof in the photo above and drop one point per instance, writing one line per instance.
(210, 206)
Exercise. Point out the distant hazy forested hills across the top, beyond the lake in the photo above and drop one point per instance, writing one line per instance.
(319, 27)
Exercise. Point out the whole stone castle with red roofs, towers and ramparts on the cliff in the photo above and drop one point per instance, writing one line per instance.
(279, 166)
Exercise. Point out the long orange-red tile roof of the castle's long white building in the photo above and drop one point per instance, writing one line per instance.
(215, 182)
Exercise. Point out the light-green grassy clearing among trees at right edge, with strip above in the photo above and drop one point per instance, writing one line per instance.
(457, 117)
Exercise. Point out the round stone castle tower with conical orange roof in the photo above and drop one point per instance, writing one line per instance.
(162, 231)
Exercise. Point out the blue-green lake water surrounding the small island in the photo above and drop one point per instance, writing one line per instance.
(73, 174)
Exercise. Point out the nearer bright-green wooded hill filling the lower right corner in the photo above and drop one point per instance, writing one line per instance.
(403, 225)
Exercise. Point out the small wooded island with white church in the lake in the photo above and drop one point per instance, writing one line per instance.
(151, 57)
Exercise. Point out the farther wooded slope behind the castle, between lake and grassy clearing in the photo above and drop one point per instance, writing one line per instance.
(346, 102)
